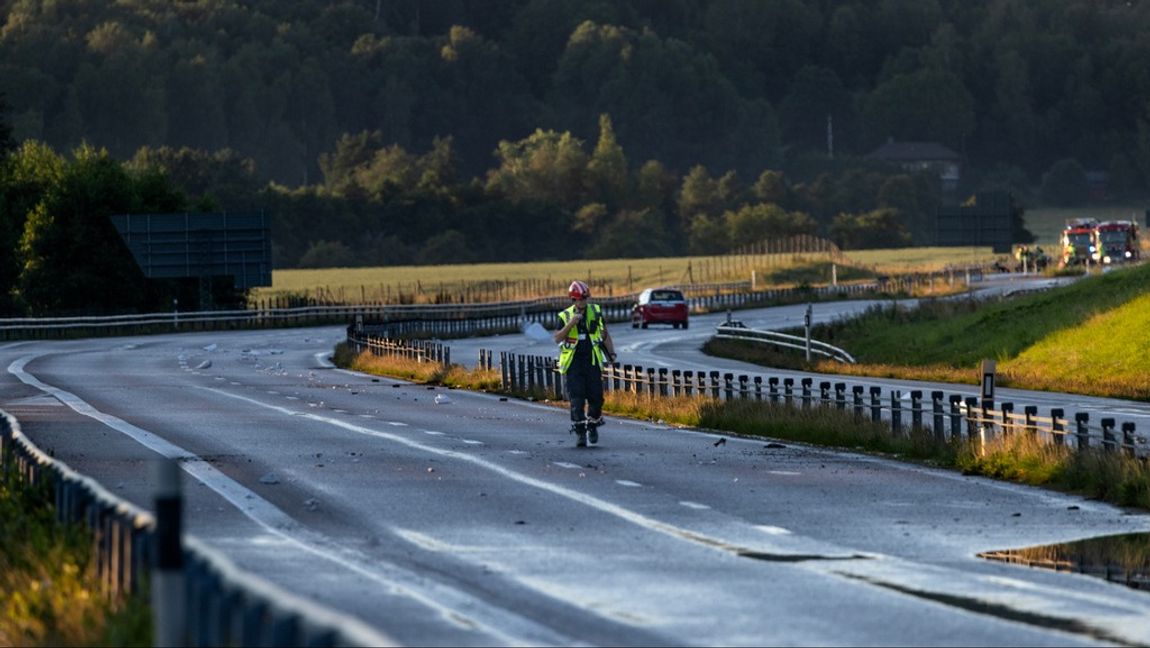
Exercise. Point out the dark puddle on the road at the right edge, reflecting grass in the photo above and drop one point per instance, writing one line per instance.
(1123, 559)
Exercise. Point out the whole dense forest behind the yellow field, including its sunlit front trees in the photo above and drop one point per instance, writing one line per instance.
(469, 131)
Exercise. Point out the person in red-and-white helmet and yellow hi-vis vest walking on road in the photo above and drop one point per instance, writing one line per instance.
(585, 348)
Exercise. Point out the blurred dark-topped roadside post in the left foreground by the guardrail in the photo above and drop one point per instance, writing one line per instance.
(168, 590)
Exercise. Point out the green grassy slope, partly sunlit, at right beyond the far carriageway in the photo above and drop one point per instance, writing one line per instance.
(1090, 338)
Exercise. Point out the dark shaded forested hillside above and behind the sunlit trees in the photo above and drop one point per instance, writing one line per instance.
(1014, 86)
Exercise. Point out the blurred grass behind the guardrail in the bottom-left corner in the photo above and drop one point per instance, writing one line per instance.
(49, 591)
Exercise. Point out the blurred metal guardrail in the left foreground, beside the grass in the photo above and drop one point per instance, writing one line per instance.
(226, 606)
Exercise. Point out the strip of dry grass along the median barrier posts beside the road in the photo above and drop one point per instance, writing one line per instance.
(1108, 477)
